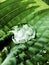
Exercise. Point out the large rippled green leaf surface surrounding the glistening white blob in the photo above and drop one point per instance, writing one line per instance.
(18, 12)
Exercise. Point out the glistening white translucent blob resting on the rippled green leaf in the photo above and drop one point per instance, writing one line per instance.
(23, 34)
